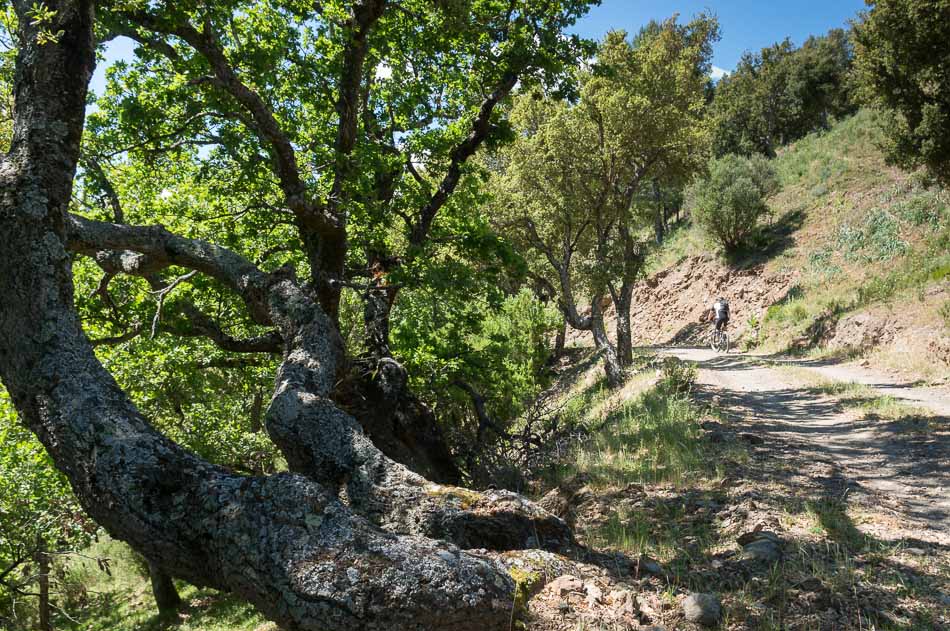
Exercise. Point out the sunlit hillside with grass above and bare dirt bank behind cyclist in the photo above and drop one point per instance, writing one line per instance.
(854, 262)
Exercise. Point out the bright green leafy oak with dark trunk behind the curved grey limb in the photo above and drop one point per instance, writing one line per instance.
(333, 138)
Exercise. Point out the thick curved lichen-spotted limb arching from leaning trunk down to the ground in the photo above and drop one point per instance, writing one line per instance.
(316, 437)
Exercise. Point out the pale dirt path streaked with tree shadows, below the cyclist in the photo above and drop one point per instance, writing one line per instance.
(901, 465)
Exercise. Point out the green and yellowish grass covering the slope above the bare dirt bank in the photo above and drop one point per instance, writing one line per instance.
(871, 236)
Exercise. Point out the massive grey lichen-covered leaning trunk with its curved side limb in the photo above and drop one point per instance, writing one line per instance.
(346, 541)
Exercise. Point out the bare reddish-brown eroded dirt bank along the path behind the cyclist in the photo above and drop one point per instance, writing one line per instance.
(899, 336)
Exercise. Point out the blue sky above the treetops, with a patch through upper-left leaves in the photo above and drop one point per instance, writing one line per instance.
(745, 24)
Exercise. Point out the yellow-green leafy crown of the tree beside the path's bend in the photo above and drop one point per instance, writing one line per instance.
(568, 184)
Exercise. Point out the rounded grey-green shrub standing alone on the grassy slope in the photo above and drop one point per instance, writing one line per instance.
(729, 202)
